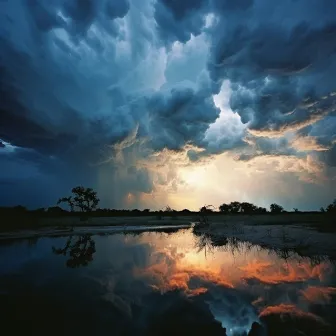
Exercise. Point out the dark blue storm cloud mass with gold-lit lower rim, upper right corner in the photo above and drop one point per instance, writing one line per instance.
(280, 66)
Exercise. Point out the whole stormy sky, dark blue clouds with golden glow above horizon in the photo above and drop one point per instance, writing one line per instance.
(168, 102)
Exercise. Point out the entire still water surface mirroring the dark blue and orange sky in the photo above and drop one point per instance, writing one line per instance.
(161, 284)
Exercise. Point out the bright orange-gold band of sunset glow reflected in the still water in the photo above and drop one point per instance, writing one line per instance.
(176, 263)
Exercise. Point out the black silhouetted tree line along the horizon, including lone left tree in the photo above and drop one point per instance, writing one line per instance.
(83, 202)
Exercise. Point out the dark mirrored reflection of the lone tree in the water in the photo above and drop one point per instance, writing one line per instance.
(79, 252)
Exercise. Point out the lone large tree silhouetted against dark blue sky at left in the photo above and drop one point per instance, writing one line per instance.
(85, 199)
